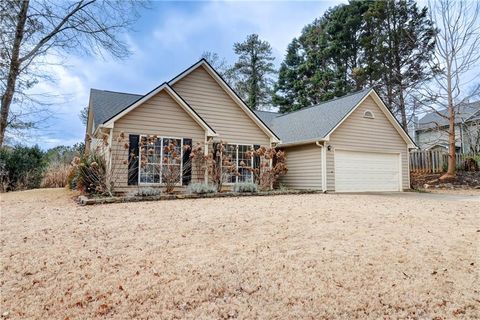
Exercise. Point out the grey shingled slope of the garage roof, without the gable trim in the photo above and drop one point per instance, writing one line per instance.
(317, 121)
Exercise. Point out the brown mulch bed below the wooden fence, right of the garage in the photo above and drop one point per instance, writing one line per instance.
(463, 180)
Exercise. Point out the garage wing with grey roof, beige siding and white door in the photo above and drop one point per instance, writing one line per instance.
(352, 143)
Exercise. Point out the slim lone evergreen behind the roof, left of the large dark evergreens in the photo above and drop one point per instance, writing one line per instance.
(254, 69)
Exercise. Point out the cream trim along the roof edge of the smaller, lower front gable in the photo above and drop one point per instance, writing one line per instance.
(181, 102)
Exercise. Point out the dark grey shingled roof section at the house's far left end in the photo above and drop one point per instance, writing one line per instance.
(107, 104)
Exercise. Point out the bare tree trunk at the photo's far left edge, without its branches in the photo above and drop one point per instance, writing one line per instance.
(7, 97)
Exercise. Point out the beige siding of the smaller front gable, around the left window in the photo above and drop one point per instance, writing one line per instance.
(161, 116)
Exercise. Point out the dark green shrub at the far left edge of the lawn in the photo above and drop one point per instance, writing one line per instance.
(22, 167)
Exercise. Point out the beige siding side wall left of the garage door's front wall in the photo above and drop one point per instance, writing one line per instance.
(304, 165)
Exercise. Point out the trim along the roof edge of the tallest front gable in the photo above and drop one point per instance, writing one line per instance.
(233, 95)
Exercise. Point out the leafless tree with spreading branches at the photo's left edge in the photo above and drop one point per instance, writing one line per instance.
(32, 32)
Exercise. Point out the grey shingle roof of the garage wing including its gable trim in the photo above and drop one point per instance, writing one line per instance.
(318, 122)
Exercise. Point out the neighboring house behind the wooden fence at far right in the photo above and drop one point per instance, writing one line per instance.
(431, 131)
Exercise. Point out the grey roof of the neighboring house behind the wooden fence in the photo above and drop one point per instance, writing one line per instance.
(465, 112)
